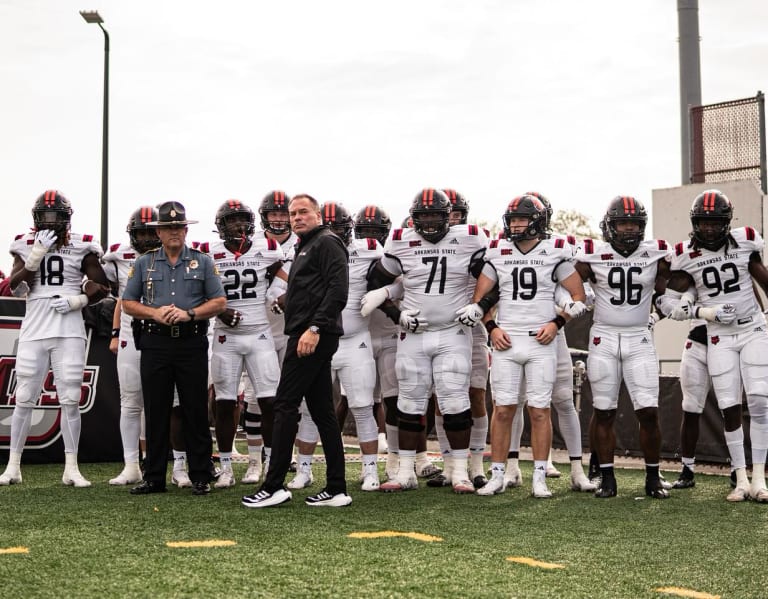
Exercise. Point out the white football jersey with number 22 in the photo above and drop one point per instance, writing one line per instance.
(244, 278)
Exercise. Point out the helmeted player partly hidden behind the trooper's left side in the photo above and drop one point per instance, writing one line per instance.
(118, 261)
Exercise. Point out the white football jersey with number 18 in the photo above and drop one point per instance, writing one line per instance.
(60, 274)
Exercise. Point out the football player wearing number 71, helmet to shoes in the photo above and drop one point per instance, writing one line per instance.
(437, 263)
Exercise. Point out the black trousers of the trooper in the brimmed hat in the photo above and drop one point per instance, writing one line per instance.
(181, 364)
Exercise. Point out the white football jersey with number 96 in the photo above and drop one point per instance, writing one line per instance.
(623, 287)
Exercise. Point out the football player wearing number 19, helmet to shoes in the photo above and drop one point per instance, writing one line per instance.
(527, 266)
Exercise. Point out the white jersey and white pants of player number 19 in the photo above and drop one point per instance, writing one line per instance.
(527, 282)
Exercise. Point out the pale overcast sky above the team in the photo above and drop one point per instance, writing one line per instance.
(353, 101)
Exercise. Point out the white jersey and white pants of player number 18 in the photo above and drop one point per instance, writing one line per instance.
(43, 329)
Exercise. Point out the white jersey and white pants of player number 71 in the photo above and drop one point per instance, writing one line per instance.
(436, 277)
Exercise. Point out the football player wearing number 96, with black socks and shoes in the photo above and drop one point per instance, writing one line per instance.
(625, 271)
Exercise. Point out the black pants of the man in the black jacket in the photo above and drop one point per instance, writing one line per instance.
(308, 378)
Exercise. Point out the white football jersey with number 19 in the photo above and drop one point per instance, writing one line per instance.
(527, 281)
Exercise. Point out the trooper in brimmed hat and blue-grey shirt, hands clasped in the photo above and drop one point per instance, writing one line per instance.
(171, 293)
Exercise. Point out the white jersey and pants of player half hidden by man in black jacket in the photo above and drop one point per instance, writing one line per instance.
(353, 362)
